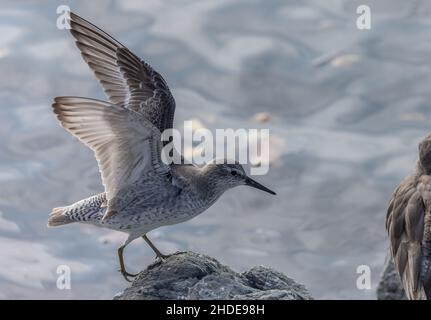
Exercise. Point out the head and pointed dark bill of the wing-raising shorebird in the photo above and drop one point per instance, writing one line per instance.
(228, 175)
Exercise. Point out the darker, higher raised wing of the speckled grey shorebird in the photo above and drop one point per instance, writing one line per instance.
(127, 80)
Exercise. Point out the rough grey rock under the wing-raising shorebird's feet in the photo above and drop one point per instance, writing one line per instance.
(194, 276)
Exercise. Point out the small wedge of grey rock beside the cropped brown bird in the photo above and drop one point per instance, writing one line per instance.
(390, 287)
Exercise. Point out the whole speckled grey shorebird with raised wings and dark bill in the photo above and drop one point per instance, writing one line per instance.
(141, 191)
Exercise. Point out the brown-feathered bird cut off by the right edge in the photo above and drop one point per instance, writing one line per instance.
(408, 223)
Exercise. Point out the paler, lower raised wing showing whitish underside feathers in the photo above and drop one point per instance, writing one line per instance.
(125, 143)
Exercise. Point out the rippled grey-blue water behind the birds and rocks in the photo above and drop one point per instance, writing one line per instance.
(347, 110)
